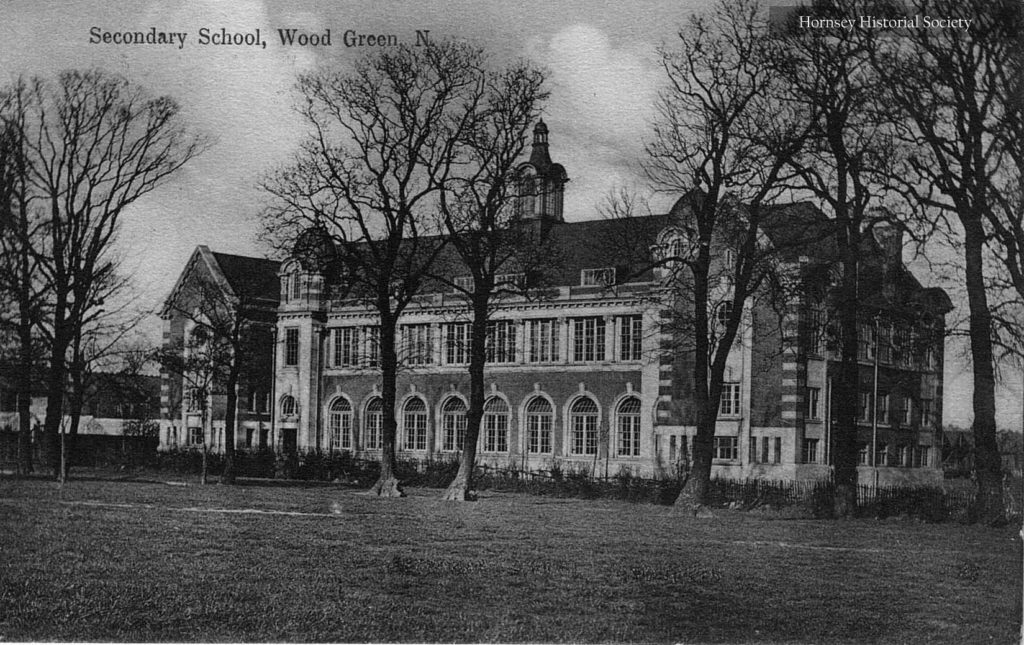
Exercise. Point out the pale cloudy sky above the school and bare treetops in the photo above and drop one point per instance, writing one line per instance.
(605, 77)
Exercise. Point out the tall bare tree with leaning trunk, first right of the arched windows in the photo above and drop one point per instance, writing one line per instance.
(723, 138)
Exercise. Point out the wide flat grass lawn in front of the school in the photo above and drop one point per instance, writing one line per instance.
(148, 562)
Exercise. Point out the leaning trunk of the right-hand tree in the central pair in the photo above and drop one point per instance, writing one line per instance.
(461, 488)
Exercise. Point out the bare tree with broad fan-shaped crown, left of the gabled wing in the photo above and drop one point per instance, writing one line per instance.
(94, 145)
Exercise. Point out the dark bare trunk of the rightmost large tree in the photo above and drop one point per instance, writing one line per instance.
(988, 464)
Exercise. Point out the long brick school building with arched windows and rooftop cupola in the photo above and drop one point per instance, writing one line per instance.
(595, 377)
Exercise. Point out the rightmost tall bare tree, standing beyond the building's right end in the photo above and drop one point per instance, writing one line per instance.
(960, 92)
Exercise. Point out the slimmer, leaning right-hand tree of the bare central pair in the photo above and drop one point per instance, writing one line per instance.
(479, 217)
